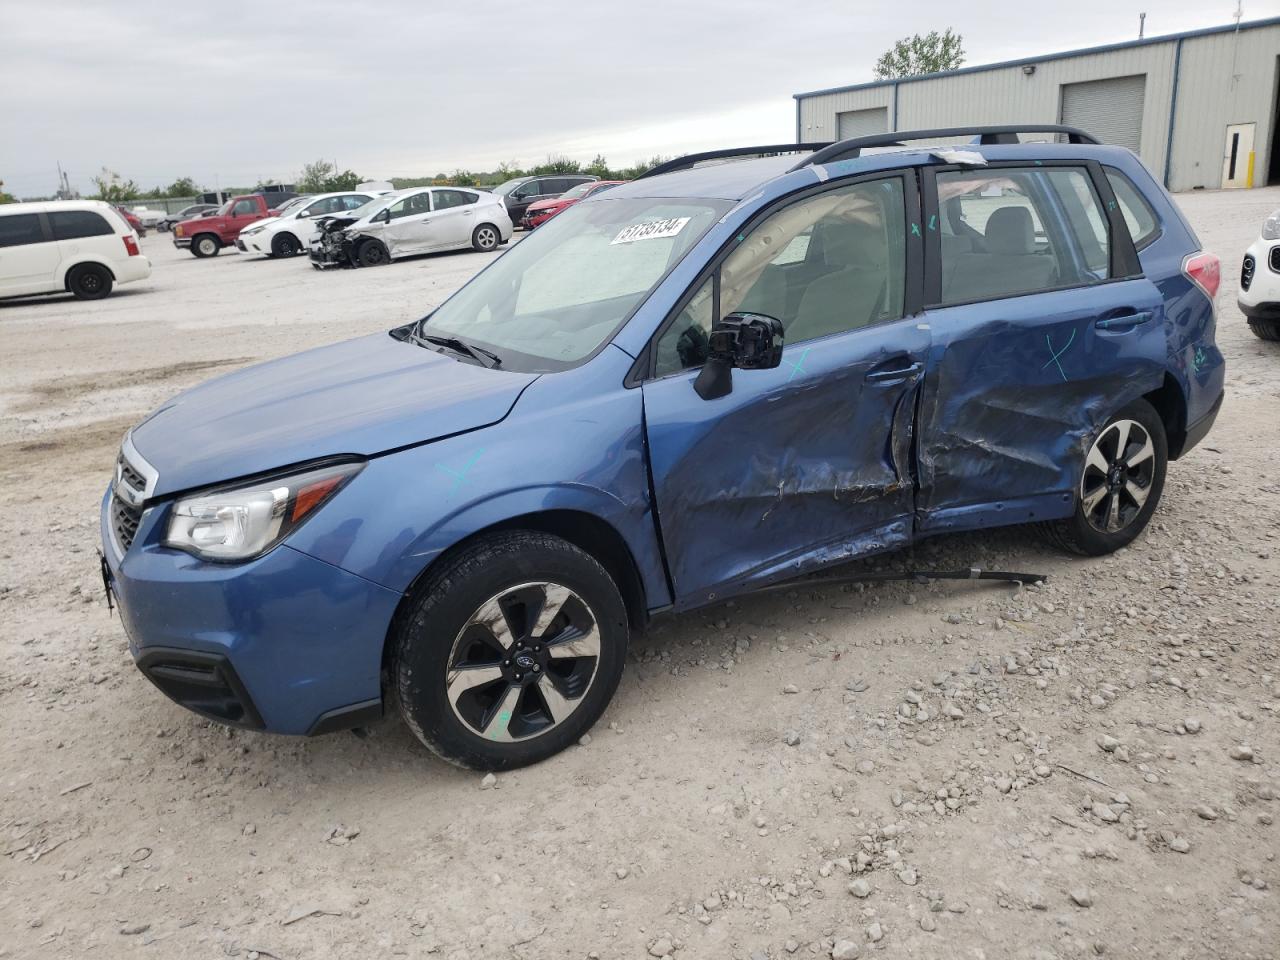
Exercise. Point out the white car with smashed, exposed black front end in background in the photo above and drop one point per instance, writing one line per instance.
(410, 222)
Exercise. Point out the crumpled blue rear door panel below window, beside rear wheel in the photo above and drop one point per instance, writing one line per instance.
(1016, 392)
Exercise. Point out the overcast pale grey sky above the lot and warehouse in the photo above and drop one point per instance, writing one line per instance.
(230, 93)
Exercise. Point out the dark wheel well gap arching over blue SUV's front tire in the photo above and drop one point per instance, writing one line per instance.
(587, 532)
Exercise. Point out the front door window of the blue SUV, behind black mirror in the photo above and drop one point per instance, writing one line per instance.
(831, 263)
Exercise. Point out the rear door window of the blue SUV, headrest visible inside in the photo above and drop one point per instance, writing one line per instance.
(1002, 235)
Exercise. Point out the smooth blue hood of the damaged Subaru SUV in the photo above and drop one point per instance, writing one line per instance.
(365, 396)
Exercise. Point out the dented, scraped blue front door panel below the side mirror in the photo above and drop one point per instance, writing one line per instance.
(797, 468)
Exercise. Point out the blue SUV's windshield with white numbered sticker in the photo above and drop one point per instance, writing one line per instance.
(556, 298)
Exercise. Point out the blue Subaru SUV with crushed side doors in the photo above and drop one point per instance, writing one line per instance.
(724, 376)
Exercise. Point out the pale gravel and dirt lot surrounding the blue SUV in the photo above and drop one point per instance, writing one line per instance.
(1092, 767)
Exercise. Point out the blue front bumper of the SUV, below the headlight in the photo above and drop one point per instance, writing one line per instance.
(284, 643)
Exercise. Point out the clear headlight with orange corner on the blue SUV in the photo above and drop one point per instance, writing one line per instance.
(237, 524)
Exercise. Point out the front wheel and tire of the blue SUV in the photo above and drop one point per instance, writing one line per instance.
(510, 652)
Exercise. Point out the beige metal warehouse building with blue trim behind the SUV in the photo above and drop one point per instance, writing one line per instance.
(1203, 109)
